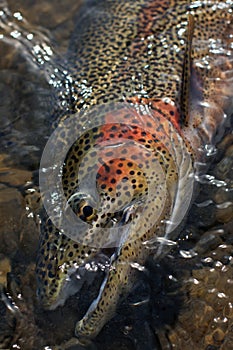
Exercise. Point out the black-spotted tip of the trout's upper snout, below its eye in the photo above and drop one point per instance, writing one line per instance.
(60, 267)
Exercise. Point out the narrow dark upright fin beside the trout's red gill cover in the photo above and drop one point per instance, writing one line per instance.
(186, 75)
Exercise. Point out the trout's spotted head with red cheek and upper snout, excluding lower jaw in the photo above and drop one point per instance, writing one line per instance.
(119, 181)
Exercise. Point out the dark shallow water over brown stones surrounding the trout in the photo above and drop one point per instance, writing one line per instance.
(185, 302)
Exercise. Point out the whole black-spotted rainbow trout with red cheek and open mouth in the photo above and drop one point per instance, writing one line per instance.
(150, 87)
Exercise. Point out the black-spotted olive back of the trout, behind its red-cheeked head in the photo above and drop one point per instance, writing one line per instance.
(128, 49)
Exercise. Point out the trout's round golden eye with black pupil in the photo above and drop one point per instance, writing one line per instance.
(83, 206)
